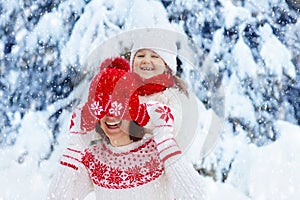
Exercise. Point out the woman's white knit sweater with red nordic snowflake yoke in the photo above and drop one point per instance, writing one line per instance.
(152, 168)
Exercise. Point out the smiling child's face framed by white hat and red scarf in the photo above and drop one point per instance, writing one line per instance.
(147, 63)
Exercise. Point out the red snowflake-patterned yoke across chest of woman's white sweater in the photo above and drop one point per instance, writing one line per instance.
(121, 170)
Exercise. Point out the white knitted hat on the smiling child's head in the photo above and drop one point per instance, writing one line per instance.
(160, 43)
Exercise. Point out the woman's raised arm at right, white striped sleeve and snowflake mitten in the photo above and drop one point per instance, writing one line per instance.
(182, 178)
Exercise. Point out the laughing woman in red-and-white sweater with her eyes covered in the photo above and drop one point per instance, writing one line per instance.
(128, 163)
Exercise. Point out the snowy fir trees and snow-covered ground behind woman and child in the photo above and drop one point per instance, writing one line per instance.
(254, 46)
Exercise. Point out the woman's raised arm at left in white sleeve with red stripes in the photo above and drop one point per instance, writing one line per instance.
(72, 180)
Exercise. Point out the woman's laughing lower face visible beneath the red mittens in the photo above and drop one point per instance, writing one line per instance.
(116, 130)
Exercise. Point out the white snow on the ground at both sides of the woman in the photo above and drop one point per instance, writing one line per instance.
(271, 172)
